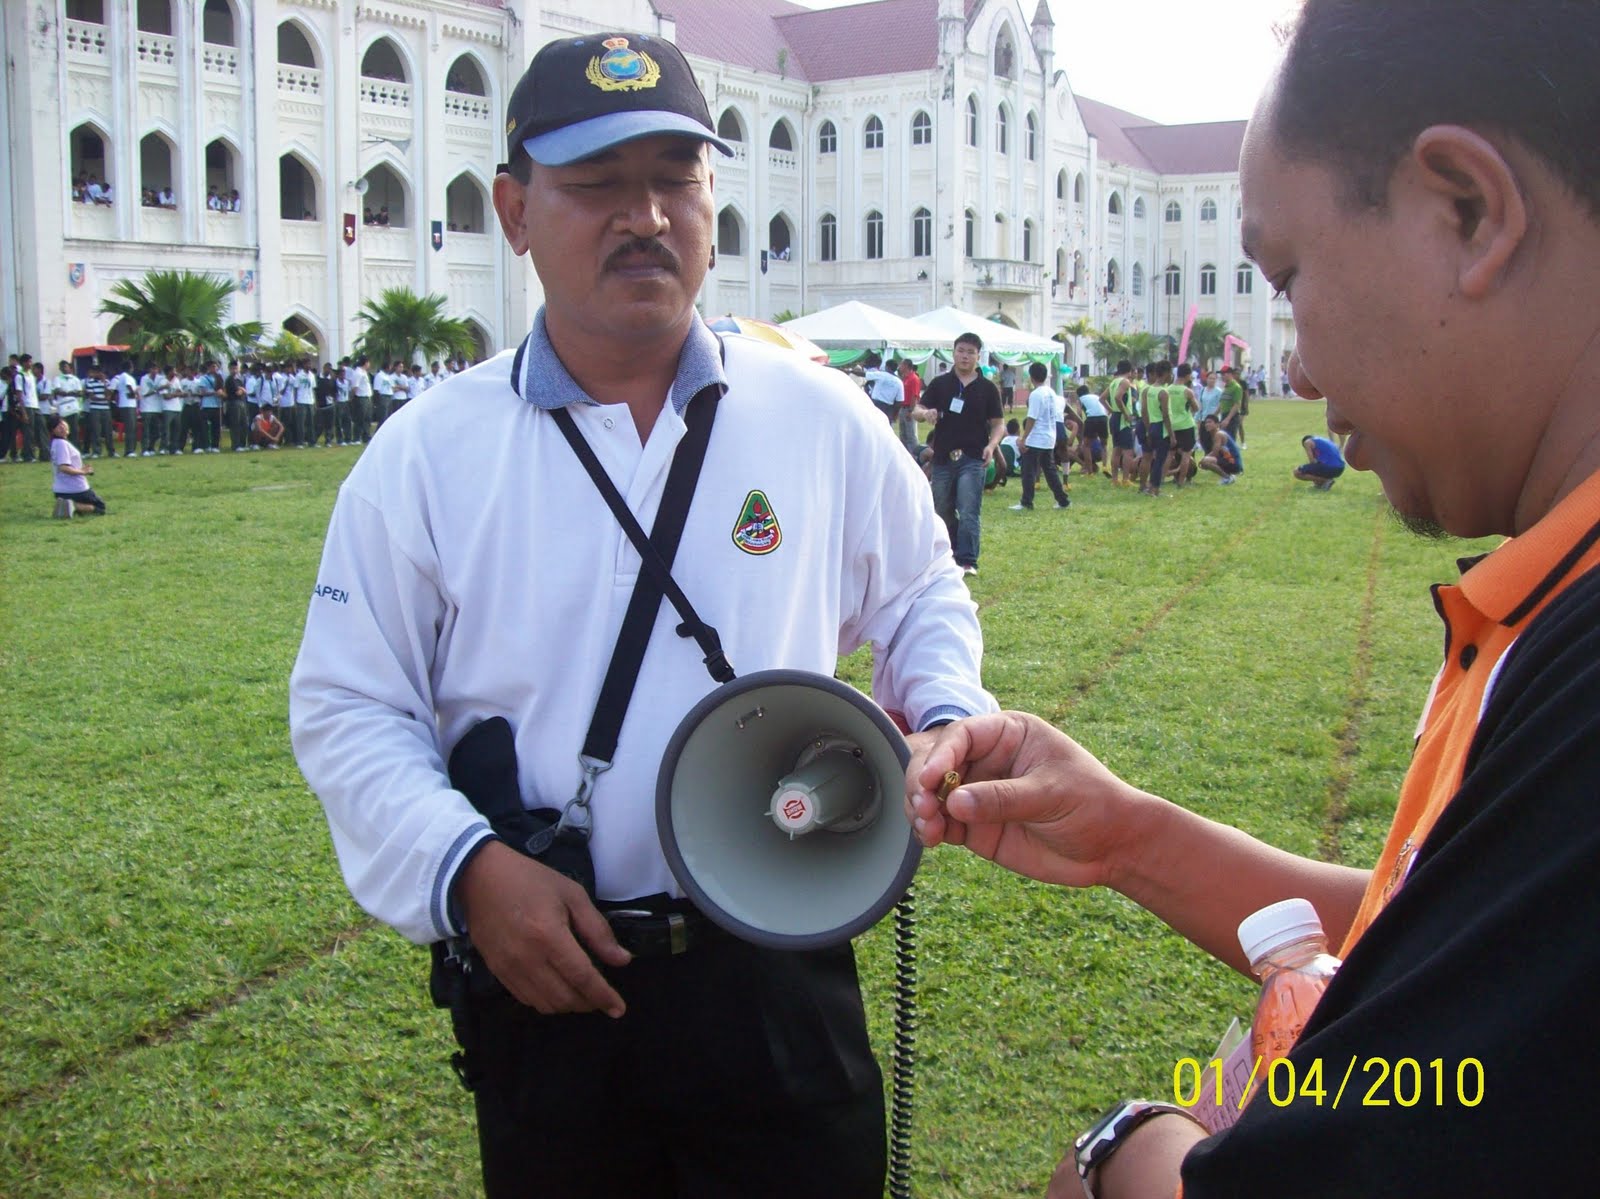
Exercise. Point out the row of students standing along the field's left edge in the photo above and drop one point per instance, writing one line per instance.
(172, 409)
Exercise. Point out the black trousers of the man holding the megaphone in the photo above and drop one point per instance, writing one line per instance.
(738, 1072)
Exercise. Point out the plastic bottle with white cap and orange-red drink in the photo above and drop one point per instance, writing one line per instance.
(1289, 953)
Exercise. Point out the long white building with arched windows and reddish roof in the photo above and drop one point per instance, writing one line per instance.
(905, 153)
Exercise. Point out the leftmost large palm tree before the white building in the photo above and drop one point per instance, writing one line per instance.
(182, 318)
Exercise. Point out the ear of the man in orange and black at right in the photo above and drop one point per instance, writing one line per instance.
(1490, 211)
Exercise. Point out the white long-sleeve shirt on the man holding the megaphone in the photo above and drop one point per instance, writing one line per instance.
(474, 571)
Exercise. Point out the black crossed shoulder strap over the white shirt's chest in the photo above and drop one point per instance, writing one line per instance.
(655, 580)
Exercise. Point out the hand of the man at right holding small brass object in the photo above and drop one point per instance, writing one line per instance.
(1031, 800)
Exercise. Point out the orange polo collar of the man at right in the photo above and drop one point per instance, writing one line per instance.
(1513, 582)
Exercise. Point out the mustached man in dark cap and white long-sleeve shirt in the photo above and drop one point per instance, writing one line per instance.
(622, 1045)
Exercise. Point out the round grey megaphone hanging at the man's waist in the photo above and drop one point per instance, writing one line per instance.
(780, 809)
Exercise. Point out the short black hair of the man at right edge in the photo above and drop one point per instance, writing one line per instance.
(1364, 78)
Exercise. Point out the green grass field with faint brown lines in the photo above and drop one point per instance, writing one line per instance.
(193, 1006)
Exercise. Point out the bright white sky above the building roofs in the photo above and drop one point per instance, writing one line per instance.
(1212, 57)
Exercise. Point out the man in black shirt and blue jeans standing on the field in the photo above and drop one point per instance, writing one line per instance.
(966, 438)
